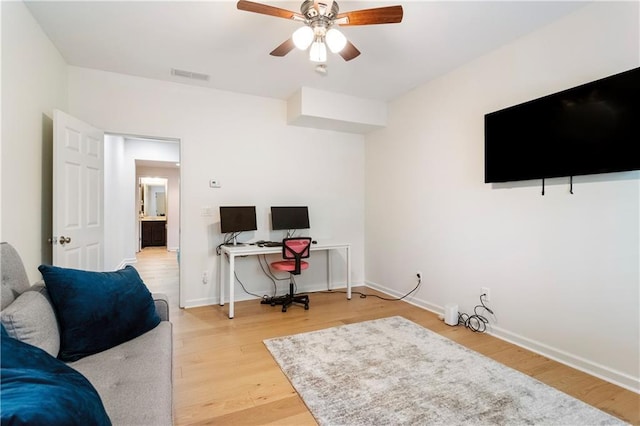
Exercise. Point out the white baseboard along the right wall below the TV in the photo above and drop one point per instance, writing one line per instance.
(605, 373)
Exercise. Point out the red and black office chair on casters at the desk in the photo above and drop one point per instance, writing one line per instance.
(293, 251)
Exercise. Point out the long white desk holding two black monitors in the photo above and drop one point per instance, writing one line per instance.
(253, 250)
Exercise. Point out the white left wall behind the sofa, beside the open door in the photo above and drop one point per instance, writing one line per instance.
(34, 82)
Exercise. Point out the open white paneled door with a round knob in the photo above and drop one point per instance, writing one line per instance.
(78, 186)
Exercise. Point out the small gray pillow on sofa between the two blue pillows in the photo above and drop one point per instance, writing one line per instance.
(31, 319)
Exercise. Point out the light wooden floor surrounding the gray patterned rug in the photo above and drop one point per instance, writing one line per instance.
(223, 374)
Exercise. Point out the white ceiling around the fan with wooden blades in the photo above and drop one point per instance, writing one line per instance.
(149, 38)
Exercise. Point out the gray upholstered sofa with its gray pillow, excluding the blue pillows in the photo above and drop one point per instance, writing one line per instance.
(134, 379)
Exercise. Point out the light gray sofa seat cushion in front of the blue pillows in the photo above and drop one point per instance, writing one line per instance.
(135, 378)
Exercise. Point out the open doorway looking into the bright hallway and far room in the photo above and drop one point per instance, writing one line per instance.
(127, 160)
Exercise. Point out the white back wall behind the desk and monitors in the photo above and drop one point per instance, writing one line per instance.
(245, 143)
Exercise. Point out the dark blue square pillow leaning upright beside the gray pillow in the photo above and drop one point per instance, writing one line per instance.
(98, 310)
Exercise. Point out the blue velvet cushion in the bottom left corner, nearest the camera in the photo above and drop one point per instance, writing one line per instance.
(38, 389)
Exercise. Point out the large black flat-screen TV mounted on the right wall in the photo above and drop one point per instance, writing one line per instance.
(589, 129)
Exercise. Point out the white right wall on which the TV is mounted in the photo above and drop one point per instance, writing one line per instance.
(563, 269)
